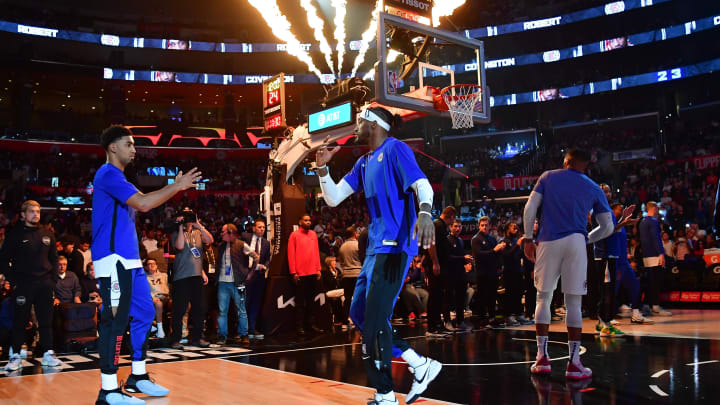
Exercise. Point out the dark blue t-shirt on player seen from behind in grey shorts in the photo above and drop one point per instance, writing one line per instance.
(568, 198)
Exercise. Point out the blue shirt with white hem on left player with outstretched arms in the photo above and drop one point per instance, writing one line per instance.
(113, 222)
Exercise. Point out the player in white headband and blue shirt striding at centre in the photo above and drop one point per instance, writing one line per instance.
(389, 176)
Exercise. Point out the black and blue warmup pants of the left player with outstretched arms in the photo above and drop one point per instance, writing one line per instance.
(135, 307)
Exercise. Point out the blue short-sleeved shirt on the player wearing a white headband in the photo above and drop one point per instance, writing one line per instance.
(385, 175)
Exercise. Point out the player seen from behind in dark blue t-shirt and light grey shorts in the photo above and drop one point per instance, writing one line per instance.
(567, 196)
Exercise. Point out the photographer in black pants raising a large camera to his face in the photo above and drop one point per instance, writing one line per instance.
(188, 277)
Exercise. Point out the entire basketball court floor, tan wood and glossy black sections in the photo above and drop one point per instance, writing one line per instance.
(674, 361)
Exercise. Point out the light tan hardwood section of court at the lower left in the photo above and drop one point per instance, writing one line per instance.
(202, 382)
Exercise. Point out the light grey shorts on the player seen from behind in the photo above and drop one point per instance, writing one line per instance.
(566, 258)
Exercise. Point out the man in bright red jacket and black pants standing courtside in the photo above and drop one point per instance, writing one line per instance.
(304, 263)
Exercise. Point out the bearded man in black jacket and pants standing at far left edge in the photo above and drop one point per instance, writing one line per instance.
(28, 259)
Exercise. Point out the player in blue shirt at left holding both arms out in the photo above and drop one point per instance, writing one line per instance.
(124, 289)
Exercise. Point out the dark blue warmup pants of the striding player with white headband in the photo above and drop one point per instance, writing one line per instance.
(376, 291)
